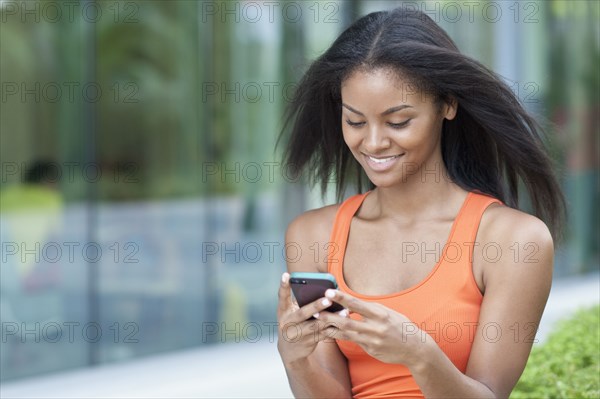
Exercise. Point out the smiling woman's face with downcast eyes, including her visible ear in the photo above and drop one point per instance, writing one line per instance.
(391, 129)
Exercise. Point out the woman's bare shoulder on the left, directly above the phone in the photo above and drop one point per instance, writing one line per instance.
(306, 239)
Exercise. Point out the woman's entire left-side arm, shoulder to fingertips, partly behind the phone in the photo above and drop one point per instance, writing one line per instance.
(313, 362)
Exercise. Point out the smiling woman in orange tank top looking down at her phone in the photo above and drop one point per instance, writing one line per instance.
(443, 280)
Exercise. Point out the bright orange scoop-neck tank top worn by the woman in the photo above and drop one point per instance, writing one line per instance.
(445, 304)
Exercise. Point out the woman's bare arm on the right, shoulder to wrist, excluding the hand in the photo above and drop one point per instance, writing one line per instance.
(516, 290)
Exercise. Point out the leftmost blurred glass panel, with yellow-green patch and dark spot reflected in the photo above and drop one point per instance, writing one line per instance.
(44, 224)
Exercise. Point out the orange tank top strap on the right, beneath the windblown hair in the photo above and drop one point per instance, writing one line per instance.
(467, 225)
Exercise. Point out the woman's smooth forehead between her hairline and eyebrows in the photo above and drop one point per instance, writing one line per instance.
(376, 86)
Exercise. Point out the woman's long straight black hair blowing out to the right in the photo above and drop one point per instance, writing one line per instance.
(492, 145)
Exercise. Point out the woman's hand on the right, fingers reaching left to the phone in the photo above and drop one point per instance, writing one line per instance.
(383, 333)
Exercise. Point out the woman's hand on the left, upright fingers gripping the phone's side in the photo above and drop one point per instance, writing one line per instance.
(298, 333)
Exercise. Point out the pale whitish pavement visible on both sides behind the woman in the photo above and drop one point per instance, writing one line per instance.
(237, 370)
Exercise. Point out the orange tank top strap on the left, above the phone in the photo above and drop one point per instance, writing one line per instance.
(339, 233)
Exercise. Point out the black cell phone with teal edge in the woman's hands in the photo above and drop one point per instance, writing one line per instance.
(308, 287)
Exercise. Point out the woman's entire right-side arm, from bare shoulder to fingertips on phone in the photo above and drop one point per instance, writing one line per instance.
(515, 295)
